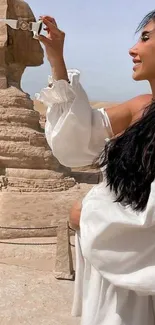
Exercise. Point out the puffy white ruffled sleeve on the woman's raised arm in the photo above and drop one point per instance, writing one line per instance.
(75, 132)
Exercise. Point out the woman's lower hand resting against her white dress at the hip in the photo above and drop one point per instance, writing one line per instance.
(75, 215)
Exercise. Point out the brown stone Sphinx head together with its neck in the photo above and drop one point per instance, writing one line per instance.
(18, 49)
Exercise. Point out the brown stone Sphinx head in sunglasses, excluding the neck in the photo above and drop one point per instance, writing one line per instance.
(20, 46)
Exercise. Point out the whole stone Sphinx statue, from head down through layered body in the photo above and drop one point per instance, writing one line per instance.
(23, 147)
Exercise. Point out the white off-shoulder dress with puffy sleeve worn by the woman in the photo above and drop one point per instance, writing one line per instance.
(115, 247)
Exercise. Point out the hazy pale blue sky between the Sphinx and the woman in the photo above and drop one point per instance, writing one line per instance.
(98, 37)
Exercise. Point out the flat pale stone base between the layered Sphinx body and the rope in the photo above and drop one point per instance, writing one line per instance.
(38, 210)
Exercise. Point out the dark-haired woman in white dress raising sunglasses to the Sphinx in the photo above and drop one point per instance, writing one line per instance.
(115, 247)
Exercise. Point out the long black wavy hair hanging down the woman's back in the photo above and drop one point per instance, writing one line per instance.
(129, 159)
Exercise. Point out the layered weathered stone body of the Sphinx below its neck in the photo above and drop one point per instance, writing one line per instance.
(22, 141)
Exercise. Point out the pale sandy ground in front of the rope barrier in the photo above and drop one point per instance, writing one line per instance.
(29, 293)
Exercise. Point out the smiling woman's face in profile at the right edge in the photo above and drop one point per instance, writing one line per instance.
(143, 54)
